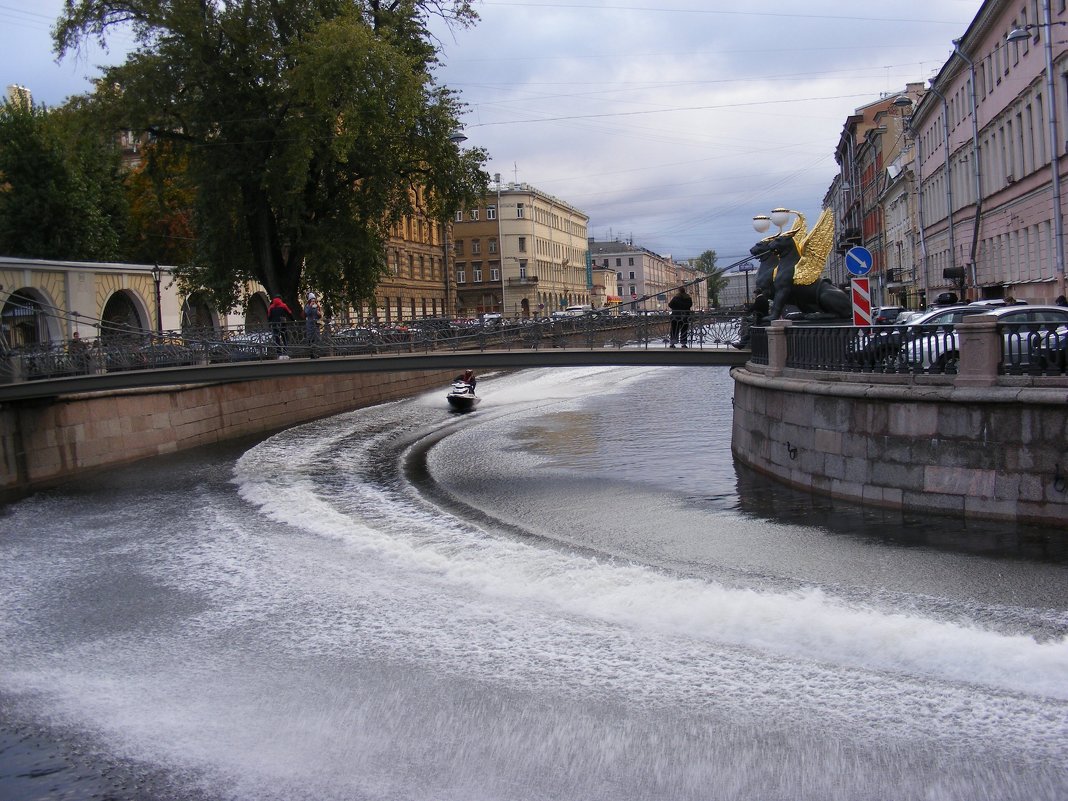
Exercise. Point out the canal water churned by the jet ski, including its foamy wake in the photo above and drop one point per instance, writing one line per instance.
(571, 593)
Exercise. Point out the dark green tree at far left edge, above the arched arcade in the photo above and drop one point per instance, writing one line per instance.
(64, 194)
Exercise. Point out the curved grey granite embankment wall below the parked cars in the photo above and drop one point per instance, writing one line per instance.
(996, 452)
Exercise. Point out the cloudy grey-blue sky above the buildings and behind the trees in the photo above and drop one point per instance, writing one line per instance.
(670, 127)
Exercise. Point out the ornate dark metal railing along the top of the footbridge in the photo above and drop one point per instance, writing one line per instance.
(129, 350)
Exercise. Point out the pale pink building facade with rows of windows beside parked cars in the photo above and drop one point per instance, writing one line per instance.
(986, 133)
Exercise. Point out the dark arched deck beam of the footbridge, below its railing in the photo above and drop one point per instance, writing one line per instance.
(459, 360)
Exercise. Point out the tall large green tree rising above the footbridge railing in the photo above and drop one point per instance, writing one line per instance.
(311, 128)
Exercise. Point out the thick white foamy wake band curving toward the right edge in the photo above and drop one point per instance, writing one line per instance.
(807, 625)
